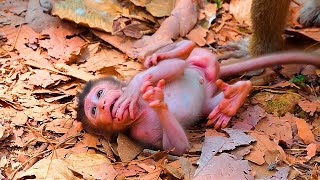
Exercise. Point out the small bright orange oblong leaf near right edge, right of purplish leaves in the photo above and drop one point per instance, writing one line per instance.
(304, 131)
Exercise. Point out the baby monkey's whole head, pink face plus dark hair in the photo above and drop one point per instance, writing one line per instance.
(95, 105)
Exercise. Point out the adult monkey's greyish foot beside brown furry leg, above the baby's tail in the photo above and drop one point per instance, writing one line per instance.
(238, 49)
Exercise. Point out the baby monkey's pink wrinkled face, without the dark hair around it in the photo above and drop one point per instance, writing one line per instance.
(98, 106)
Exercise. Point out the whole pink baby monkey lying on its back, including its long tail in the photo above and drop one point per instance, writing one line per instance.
(180, 86)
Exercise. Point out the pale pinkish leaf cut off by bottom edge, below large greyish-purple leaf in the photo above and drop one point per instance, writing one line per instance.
(224, 166)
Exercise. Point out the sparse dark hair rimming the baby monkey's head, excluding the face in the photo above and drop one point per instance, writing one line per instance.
(81, 116)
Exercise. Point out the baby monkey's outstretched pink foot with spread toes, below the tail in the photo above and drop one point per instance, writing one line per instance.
(234, 96)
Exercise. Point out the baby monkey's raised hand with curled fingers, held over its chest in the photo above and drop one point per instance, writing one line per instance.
(154, 94)
